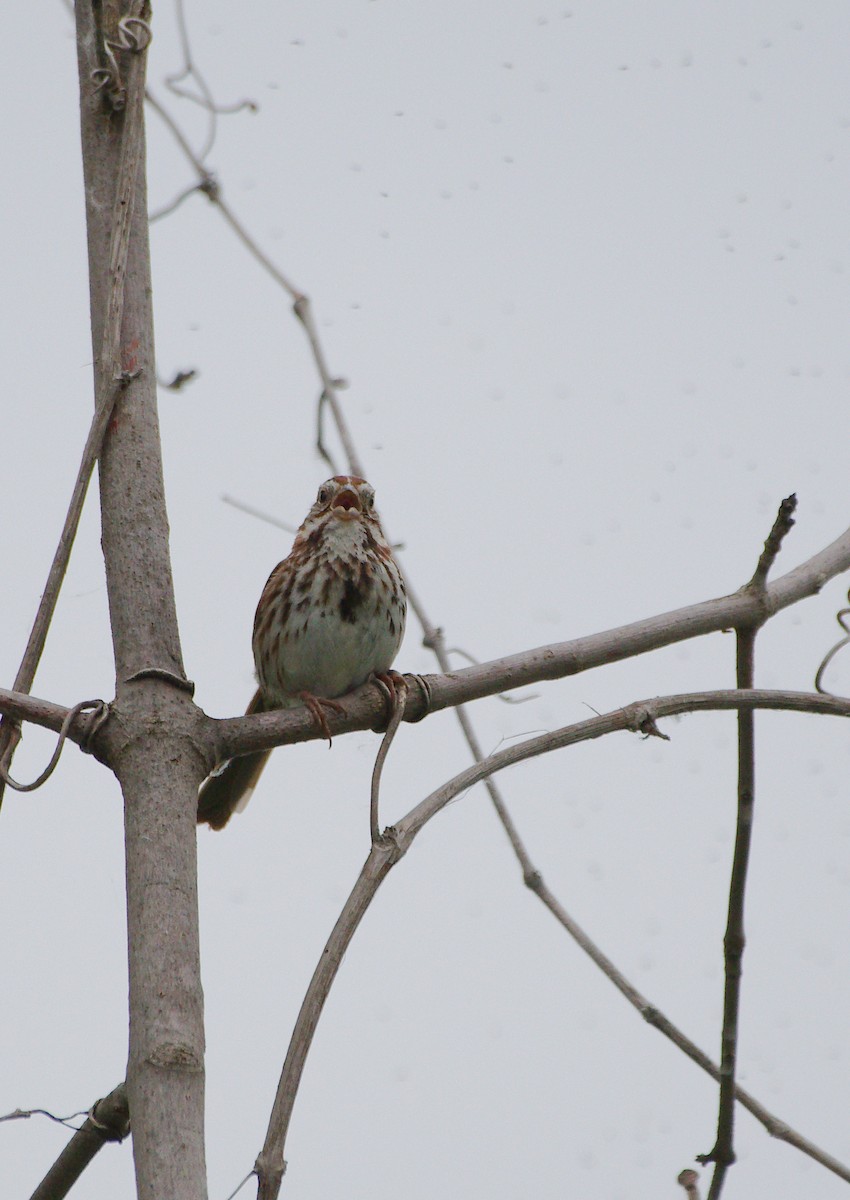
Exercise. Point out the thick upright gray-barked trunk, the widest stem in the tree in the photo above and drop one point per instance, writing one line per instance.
(157, 730)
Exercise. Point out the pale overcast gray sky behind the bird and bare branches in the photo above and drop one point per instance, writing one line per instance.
(585, 268)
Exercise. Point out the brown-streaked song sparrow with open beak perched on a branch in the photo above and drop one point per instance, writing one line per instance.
(331, 617)
